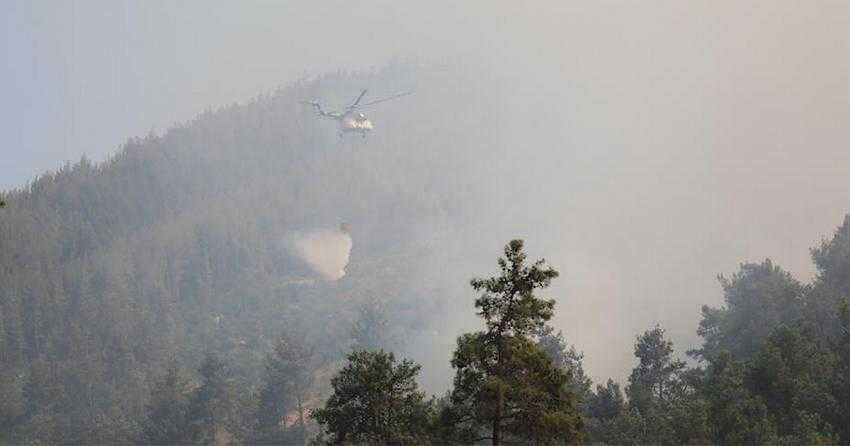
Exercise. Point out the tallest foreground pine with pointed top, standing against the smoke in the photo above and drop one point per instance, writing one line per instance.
(506, 387)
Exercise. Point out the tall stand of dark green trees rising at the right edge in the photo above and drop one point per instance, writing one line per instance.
(775, 354)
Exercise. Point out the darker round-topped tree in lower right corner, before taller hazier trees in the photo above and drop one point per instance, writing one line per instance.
(782, 395)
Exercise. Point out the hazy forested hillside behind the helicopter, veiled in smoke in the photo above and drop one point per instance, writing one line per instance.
(176, 245)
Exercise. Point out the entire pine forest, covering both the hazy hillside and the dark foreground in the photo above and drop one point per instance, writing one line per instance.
(152, 299)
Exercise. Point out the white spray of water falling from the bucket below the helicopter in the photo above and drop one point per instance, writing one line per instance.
(325, 251)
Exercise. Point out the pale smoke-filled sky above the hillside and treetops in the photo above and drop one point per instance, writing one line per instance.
(669, 140)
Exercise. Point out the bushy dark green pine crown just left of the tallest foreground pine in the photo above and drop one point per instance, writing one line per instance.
(376, 400)
